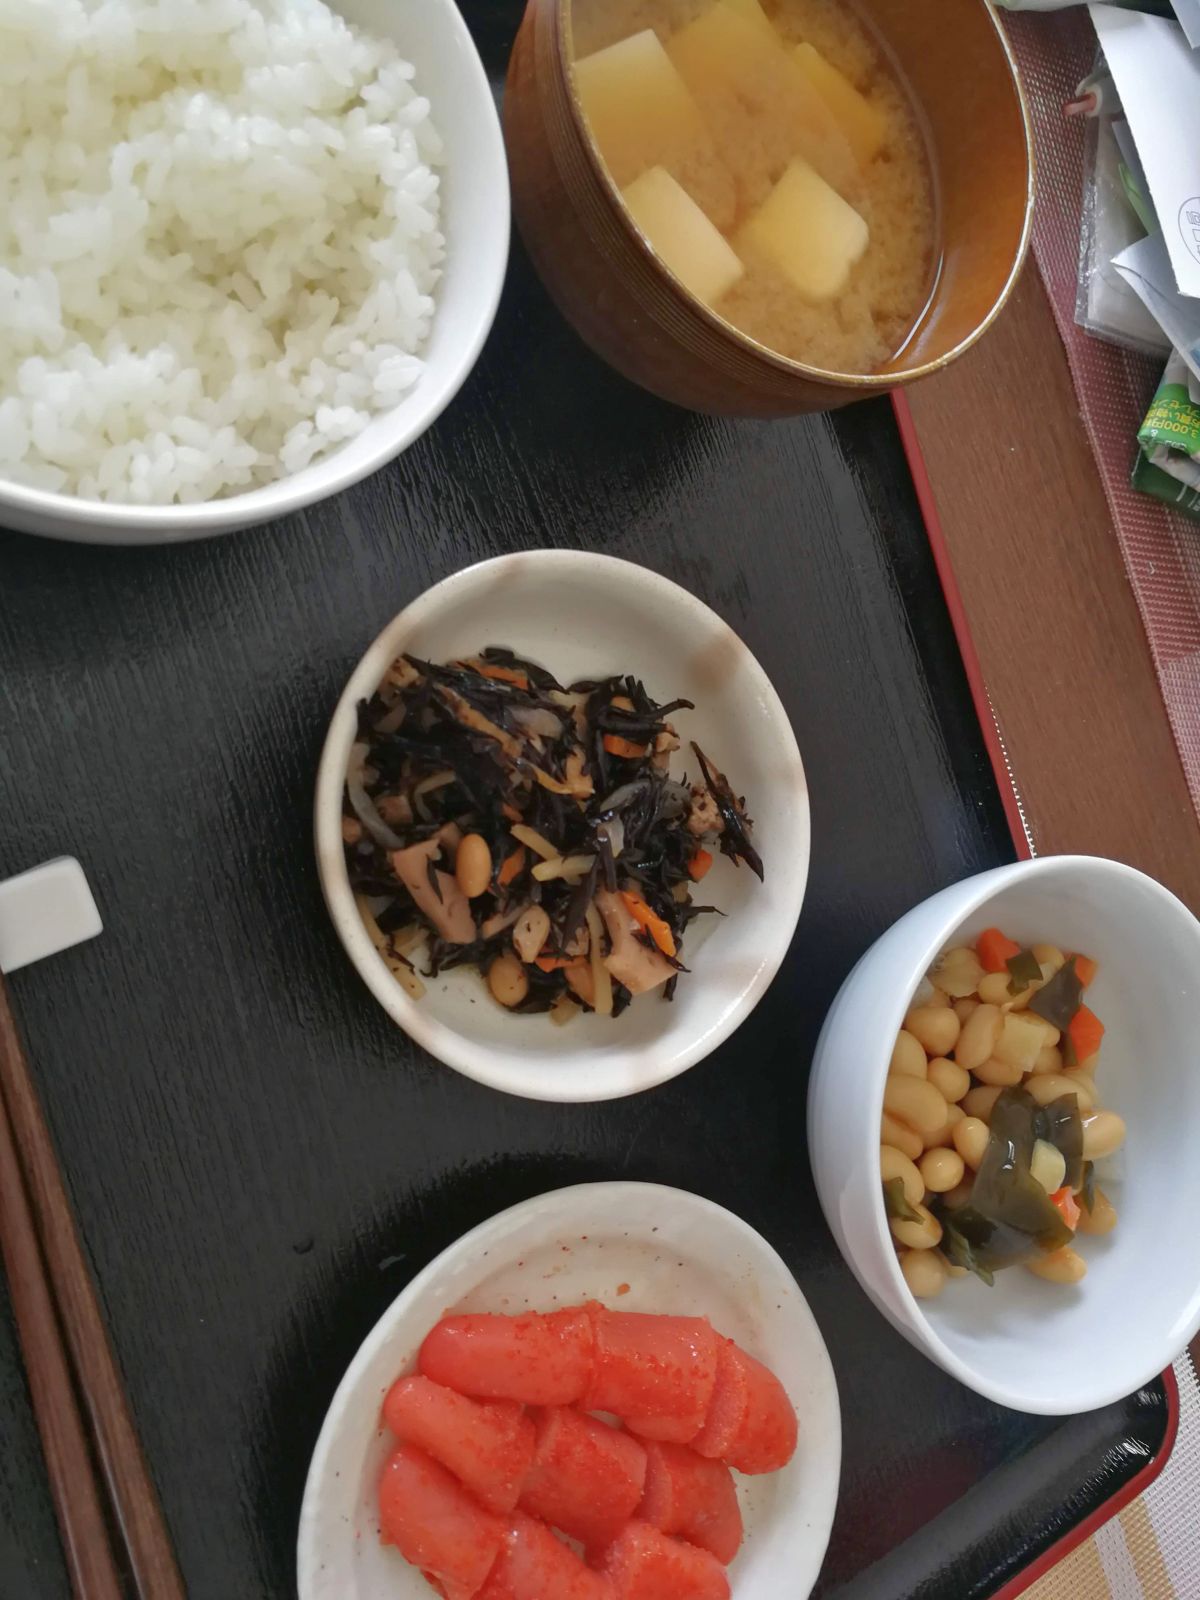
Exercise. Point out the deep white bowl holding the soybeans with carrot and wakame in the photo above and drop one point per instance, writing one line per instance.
(1031, 1345)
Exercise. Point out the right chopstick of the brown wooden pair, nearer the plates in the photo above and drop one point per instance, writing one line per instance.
(132, 1492)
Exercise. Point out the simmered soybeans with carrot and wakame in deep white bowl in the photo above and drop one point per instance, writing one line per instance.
(993, 1124)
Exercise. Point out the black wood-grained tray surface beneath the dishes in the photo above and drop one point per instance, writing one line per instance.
(260, 1159)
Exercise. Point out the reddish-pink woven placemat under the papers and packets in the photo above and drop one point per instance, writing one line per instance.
(1114, 386)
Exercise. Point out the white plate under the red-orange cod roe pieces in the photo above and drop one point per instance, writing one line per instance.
(678, 1254)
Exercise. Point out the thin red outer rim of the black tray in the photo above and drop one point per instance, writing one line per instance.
(1017, 823)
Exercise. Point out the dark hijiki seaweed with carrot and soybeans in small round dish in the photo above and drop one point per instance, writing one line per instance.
(495, 818)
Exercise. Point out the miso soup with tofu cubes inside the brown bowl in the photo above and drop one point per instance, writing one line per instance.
(774, 159)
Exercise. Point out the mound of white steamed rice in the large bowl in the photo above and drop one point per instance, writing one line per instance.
(218, 242)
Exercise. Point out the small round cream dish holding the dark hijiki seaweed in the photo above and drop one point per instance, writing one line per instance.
(583, 615)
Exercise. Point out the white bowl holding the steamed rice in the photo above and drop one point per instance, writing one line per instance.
(476, 220)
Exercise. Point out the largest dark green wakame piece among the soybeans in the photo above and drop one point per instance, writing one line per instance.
(1017, 1210)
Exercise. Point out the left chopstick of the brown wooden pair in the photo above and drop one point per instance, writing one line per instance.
(65, 1446)
